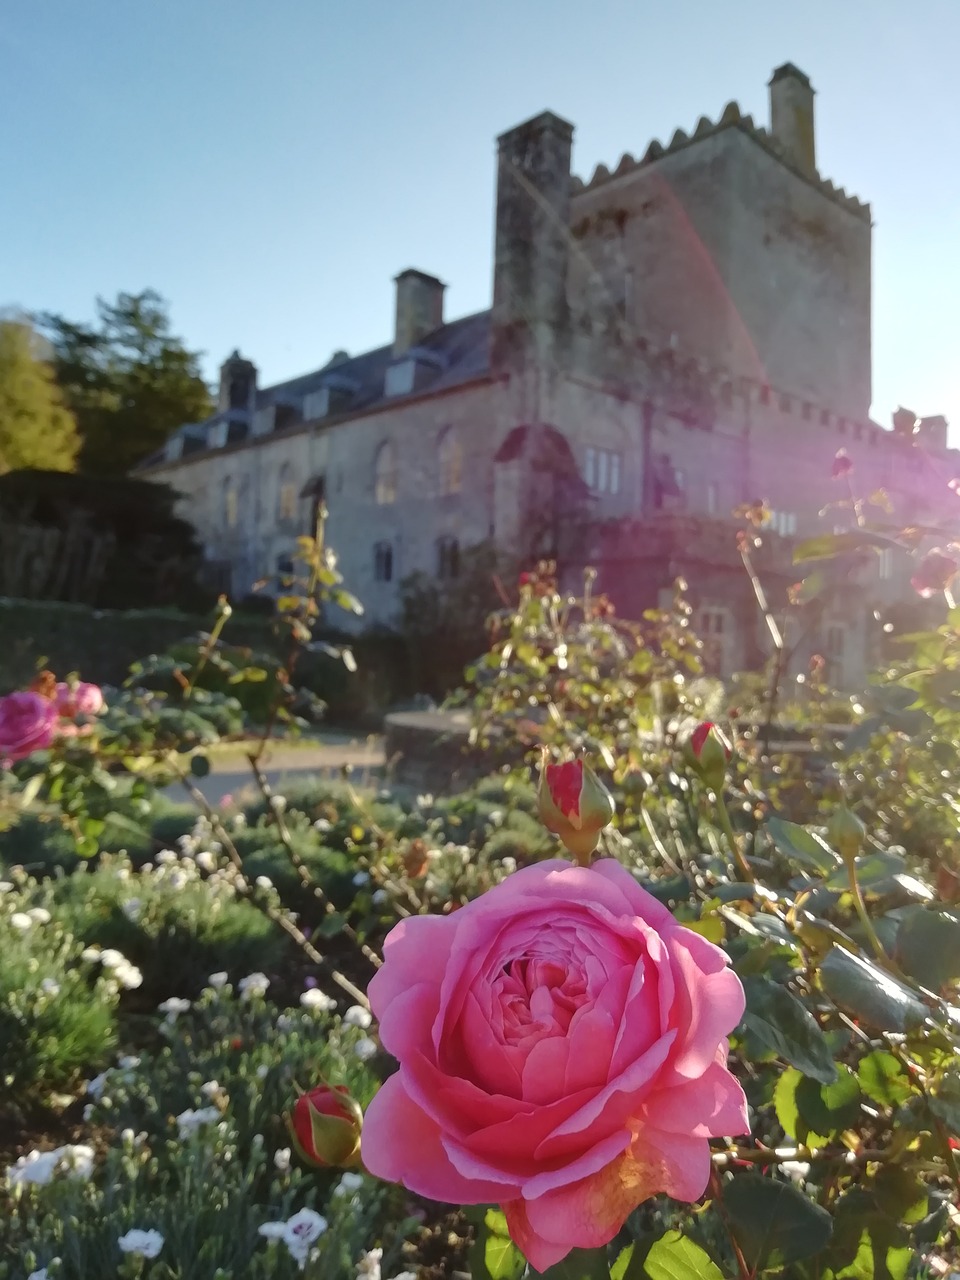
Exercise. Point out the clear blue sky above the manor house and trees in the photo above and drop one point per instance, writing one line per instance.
(269, 166)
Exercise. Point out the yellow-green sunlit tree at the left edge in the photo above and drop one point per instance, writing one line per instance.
(36, 429)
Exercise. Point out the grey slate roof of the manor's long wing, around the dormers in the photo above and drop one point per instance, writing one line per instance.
(455, 354)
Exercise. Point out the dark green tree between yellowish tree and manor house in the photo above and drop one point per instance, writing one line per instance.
(129, 381)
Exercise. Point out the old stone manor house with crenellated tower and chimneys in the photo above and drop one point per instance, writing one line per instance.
(678, 336)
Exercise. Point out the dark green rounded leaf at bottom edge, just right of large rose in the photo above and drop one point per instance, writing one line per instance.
(774, 1223)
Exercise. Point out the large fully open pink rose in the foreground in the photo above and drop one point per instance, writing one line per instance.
(563, 1053)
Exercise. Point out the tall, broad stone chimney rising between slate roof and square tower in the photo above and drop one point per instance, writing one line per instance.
(532, 241)
